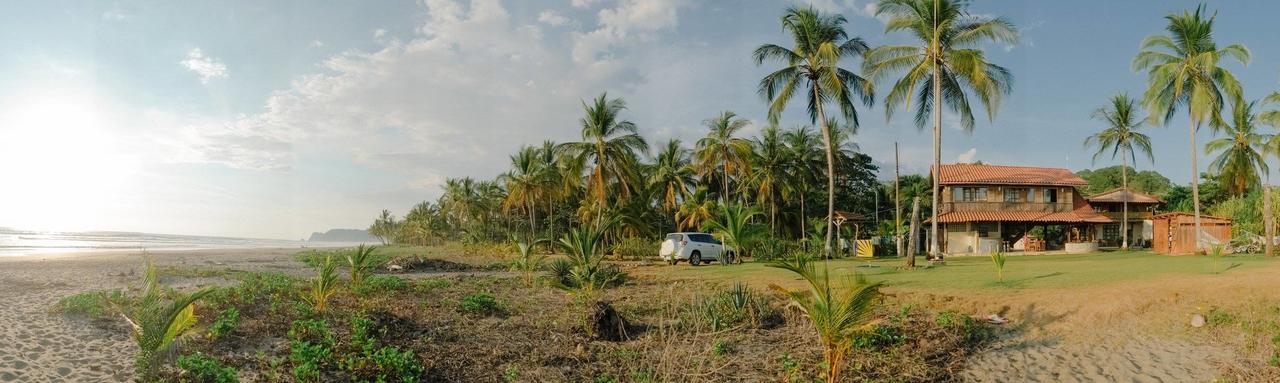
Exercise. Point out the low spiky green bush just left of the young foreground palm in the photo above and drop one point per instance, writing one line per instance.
(730, 308)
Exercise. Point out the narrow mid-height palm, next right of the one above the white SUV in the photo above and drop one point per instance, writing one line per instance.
(770, 171)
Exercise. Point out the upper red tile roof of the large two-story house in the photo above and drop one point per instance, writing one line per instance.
(996, 175)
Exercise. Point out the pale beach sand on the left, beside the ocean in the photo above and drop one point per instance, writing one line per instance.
(40, 346)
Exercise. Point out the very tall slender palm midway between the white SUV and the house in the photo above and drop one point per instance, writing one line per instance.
(813, 67)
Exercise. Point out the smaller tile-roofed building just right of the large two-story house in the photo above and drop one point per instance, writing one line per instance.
(1142, 208)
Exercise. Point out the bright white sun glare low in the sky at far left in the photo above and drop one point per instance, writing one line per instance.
(62, 166)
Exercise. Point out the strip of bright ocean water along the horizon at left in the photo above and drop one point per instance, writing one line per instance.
(16, 243)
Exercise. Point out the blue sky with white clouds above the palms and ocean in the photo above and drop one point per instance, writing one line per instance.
(276, 120)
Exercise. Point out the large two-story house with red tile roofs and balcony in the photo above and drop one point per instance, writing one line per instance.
(990, 208)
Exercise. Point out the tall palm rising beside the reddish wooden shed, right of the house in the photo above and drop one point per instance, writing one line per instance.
(1183, 72)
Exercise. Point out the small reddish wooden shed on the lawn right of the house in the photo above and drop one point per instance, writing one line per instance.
(1176, 232)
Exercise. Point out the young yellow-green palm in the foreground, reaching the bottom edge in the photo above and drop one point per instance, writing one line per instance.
(839, 313)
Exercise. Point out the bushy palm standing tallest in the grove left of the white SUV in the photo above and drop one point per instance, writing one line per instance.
(610, 144)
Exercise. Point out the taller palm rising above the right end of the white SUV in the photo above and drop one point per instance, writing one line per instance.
(721, 152)
